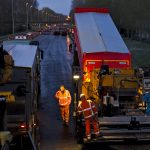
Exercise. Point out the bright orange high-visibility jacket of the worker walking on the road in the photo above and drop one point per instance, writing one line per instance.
(64, 98)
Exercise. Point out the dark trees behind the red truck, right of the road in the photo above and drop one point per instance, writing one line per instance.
(132, 17)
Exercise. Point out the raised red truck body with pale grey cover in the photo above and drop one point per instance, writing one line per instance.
(98, 40)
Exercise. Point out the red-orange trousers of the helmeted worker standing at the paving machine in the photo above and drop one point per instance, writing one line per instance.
(91, 121)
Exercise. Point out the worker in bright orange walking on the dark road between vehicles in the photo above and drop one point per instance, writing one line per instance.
(64, 99)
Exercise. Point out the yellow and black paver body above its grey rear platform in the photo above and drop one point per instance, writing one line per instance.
(116, 89)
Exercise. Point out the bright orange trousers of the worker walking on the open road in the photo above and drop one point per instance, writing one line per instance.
(64, 110)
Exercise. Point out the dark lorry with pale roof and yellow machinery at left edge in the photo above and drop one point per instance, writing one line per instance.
(19, 92)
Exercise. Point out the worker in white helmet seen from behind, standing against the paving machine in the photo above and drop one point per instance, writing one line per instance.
(89, 111)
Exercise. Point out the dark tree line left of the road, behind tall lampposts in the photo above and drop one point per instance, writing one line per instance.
(21, 10)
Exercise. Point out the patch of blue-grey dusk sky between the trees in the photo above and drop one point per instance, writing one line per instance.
(59, 6)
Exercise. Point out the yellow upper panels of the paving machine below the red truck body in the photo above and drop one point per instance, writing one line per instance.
(115, 81)
